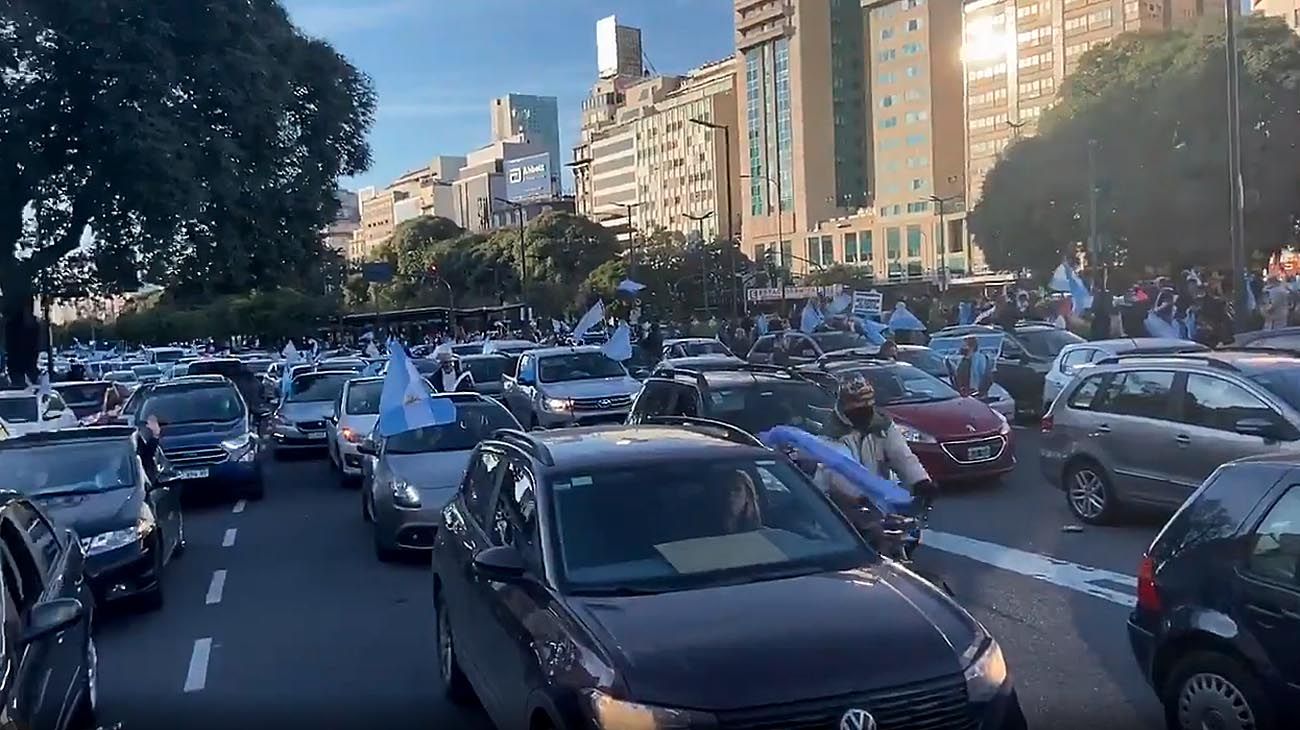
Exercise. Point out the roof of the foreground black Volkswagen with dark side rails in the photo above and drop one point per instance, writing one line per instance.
(648, 444)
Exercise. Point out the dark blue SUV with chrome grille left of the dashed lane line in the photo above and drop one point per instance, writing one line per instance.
(209, 437)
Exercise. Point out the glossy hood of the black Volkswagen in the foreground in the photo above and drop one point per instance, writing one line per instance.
(734, 648)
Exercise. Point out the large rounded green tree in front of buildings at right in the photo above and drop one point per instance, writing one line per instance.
(1156, 108)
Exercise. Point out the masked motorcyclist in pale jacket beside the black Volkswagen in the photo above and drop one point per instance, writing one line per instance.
(874, 441)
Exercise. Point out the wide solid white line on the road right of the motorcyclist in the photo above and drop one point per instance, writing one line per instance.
(1084, 579)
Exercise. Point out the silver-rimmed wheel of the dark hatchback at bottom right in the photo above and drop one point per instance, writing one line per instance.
(1212, 690)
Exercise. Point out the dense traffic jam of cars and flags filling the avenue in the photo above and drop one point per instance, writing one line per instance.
(999, 529)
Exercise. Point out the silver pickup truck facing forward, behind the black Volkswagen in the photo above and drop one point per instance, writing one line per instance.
(569, 386)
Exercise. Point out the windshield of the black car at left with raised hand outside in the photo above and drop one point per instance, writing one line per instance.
(79, 467)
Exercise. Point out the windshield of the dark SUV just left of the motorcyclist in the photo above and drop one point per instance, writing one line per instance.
(759, 407)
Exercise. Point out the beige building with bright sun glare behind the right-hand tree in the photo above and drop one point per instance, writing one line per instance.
(1019, 54)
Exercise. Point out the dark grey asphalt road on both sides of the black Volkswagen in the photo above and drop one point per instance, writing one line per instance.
(280, 615)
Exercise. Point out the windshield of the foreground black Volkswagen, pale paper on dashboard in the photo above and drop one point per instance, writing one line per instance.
(684, 525)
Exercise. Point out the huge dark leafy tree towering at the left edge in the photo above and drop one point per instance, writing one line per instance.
(197, 141)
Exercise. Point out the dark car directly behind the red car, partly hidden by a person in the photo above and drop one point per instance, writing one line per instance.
(1025, 358)
